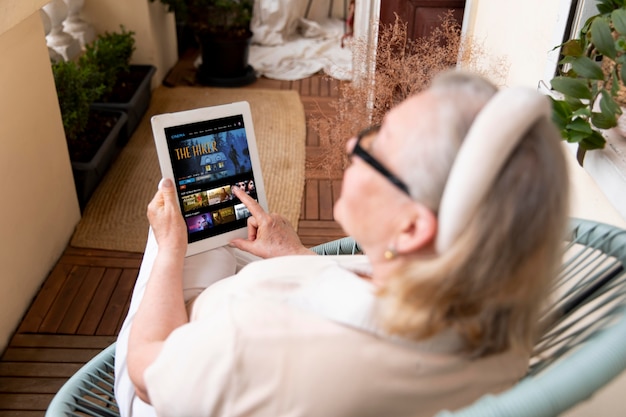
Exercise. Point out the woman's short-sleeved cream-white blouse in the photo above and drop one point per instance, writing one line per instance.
(295, 336)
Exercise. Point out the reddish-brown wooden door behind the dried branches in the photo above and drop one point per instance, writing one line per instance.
(421, 16)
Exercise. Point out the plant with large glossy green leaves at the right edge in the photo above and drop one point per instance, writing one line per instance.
(591, 78)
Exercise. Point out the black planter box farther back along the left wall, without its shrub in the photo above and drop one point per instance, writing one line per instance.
(138, 104)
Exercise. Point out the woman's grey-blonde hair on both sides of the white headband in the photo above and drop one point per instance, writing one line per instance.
(490, 284)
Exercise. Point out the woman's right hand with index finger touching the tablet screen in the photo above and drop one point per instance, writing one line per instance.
(269, 235)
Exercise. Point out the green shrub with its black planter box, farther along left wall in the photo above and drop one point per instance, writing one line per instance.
(127, 87)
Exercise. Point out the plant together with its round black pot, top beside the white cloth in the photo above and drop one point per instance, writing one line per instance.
(222, 28)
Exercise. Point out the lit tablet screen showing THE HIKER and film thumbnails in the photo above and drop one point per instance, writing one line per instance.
(209, 158)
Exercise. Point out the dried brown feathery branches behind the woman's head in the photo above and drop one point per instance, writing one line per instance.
(403, 67)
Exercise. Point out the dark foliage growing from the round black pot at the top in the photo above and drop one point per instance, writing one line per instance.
(227, 18)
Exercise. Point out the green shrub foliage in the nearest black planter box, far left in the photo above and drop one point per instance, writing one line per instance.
(77, 87)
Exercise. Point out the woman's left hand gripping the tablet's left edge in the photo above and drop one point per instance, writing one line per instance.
(167, 223)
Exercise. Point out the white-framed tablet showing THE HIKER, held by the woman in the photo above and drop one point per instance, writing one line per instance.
(207, 152)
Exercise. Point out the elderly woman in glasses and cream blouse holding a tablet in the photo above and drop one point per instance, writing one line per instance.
(459, 202)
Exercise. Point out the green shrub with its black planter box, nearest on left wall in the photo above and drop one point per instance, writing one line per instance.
(92, 135)
